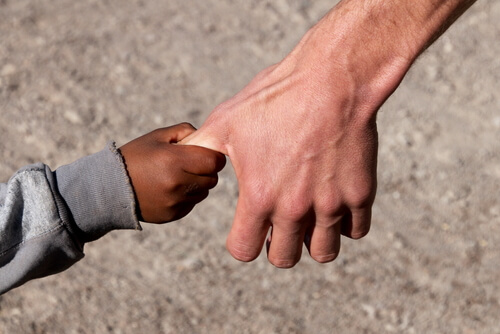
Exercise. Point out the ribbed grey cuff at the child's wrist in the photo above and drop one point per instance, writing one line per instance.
(98, 192)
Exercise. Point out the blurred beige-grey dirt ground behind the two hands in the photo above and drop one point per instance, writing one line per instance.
(75, 74)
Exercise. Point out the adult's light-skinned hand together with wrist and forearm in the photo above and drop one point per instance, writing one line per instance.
(302, 135)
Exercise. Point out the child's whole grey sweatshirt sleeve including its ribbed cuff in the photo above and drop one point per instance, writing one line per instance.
(46, 217)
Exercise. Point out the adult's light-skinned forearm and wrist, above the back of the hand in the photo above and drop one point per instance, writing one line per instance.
(374, 42)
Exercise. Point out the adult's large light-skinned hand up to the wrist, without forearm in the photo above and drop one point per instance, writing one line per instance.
(305, 159)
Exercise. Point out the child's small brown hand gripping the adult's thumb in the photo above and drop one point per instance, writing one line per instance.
(169, 179)
